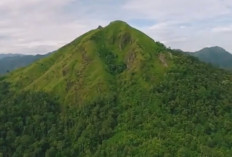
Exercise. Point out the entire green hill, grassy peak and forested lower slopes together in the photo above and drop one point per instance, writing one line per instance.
(115, 92)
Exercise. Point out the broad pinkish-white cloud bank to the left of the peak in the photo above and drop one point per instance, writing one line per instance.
(37, 26)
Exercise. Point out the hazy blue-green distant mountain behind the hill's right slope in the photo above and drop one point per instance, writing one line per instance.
(216, 56)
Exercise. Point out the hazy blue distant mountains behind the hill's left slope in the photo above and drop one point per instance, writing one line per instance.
(9, 62)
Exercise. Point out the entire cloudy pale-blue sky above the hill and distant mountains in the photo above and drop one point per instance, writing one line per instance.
(41, 26)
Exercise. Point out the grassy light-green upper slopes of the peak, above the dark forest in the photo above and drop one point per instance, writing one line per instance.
(91, 63)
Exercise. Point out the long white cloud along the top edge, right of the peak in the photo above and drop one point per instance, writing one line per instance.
(183, 10)
